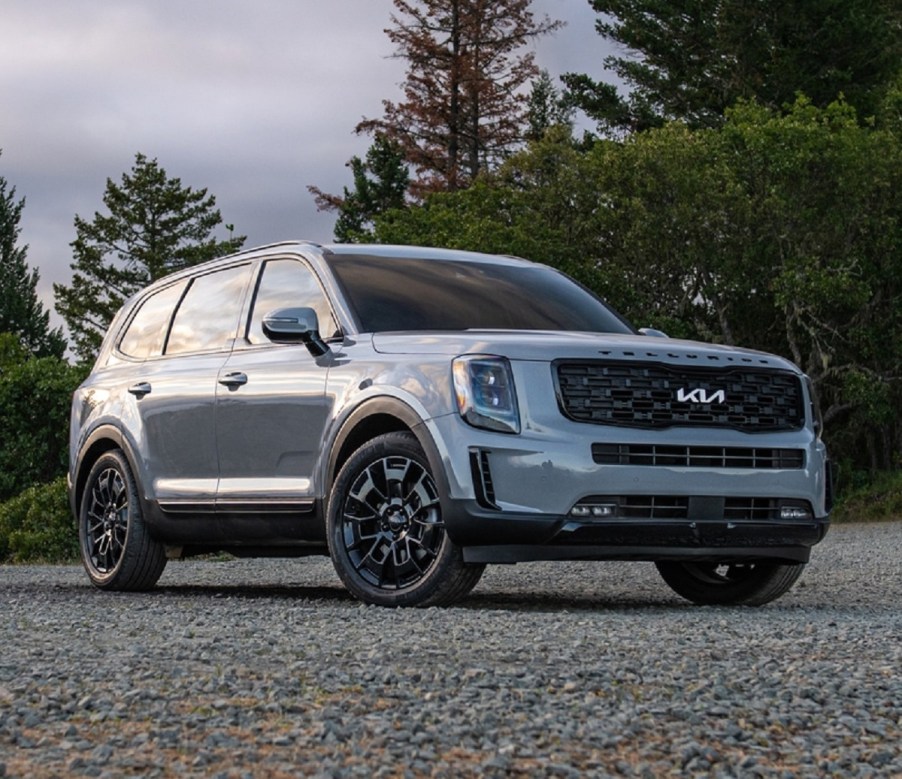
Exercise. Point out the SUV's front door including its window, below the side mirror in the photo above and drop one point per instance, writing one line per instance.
(271, 413)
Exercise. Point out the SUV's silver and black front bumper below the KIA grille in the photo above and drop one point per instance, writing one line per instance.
(512, 498)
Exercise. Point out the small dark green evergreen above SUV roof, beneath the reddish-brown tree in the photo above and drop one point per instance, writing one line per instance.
(380, 184)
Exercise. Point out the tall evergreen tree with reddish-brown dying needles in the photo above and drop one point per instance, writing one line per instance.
(464, 107)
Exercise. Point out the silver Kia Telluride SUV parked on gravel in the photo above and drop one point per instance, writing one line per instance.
(418, 413)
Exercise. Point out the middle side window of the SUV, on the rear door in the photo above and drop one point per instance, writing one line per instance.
(207, 319)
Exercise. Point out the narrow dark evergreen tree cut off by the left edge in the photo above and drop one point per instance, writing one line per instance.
(21, 312)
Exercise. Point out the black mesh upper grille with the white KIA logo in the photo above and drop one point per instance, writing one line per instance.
(653, 395)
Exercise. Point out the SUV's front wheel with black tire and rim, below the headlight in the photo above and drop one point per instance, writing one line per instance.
(385, 529)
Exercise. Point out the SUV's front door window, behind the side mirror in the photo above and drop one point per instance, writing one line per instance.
(289, 284)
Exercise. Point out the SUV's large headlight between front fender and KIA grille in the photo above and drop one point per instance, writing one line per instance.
(486, 397)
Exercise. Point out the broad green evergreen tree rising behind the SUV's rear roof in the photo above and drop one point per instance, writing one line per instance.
(155, 226)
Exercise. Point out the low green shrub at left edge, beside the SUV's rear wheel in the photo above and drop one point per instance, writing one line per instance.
(37, 526)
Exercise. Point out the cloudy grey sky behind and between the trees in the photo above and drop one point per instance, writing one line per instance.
(253, 101)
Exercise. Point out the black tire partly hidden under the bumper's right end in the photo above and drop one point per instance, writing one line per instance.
(735, 583)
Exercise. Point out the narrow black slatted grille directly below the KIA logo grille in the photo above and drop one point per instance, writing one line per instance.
(698, 456)
